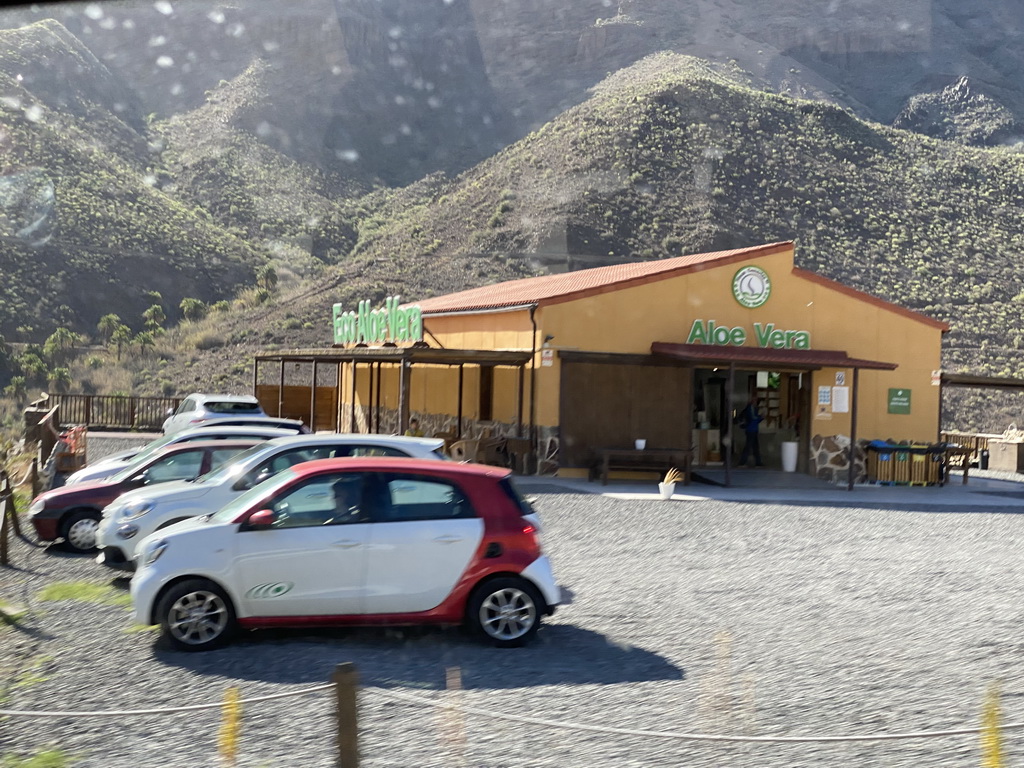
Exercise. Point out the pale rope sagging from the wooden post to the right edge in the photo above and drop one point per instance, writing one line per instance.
(690, 737)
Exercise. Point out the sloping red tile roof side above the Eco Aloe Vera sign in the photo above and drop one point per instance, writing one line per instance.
(556, 289)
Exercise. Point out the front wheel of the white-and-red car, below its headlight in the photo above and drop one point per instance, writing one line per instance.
(196, 615)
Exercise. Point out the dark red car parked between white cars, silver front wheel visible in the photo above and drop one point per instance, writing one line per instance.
(74, 513)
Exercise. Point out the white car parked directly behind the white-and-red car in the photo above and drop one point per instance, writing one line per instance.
(139, 514)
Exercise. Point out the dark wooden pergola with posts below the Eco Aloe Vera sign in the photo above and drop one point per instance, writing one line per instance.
(373, 359)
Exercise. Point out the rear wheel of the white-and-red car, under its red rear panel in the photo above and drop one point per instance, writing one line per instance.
(505, 612)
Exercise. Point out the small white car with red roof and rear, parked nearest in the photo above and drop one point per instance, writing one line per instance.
(354, 542)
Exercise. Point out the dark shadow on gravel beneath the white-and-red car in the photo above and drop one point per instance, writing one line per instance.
(419, 658)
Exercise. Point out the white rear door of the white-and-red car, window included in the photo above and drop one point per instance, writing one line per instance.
(425, 534)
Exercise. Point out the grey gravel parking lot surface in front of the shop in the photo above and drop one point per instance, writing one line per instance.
(709, 617)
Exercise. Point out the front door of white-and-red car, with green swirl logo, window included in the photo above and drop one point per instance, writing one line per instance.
(313, 560)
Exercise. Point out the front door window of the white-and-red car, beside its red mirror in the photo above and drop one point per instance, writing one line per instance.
(325, 500)
